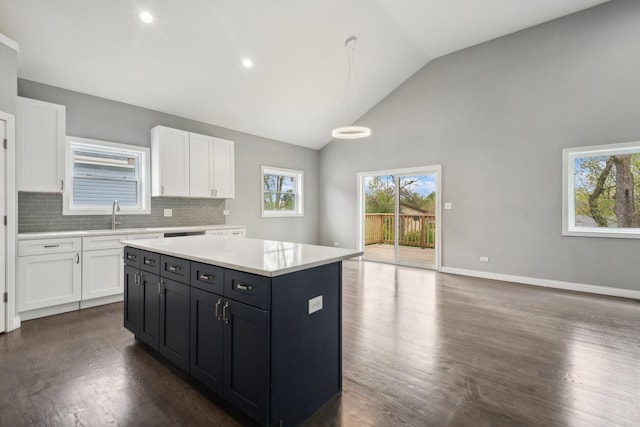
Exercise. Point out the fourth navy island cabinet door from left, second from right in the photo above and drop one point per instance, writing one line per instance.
(207, 332)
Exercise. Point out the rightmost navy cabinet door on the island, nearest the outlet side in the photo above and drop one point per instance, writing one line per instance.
(246, 359)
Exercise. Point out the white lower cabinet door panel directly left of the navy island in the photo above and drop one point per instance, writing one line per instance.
(102, 273)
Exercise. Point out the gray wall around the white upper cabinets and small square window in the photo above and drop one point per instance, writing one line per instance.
(98, 118)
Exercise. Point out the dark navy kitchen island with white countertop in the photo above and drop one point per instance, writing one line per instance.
(257, 322)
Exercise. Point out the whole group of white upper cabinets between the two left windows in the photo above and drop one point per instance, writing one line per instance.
(208, 171)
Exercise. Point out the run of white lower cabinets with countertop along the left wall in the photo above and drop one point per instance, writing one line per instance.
(65, 274)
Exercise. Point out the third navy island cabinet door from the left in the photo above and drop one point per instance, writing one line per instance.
(174, 322)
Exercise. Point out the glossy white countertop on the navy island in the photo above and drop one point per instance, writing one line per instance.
(264, 257)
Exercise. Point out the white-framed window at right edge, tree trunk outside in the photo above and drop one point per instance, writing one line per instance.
(601, 194)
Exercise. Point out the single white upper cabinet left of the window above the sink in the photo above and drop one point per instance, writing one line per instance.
(40, 134)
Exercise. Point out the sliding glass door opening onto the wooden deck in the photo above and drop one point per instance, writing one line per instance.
(399, 216)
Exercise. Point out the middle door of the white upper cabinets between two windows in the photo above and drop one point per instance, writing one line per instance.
(200, 170)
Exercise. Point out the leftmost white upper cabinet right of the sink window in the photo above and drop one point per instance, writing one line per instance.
(169, 162)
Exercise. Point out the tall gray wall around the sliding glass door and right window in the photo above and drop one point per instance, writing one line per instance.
(496, 117)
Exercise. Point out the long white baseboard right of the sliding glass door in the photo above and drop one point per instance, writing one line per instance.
(556, 284)
